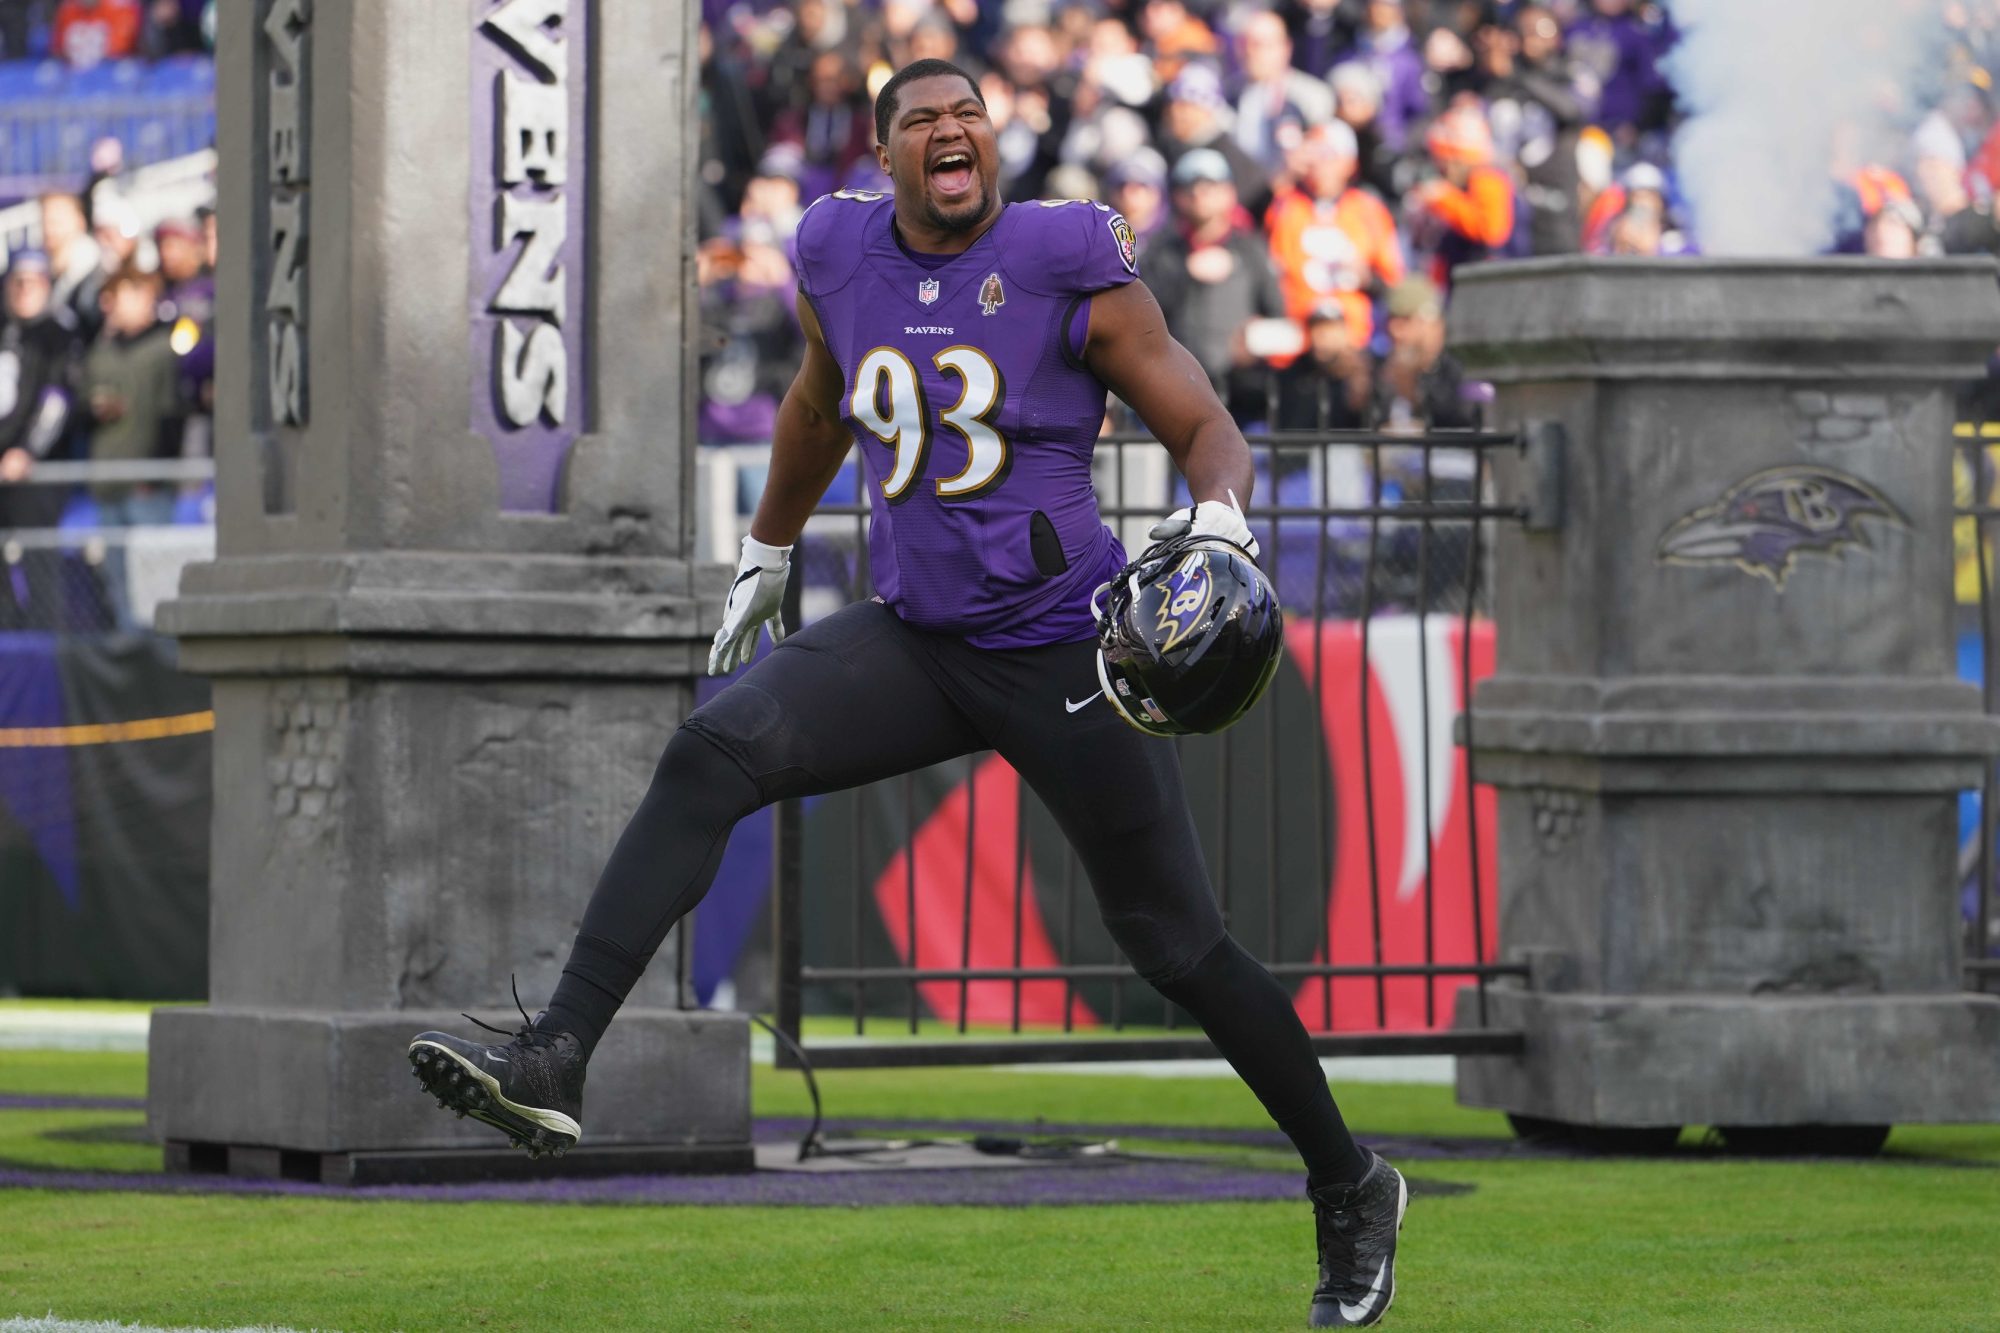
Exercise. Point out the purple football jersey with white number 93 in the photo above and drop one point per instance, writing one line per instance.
(973, 411)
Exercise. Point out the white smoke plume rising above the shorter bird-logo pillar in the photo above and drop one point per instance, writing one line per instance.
(1783, 97)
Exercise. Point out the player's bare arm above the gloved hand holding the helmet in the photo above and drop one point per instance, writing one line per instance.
(1139, 361)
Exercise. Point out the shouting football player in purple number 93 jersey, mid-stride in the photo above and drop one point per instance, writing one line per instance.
(967, 347)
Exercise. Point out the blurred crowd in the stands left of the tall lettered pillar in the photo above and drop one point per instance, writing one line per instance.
(107, 347)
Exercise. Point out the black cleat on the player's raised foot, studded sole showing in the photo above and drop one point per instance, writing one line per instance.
(531, 1090)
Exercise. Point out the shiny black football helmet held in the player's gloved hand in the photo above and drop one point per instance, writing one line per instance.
(1189, 637)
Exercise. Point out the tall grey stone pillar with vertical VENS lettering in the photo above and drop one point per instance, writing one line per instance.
(453, 617)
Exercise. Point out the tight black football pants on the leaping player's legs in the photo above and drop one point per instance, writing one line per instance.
(861, 698)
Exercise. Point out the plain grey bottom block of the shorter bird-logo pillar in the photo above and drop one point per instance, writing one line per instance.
(1737, 1060)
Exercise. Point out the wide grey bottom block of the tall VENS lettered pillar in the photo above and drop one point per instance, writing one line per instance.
(341, 1082)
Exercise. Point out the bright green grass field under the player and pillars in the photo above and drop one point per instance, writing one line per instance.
(1699, 1242)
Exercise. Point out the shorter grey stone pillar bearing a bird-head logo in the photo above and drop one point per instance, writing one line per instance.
(1725, 726)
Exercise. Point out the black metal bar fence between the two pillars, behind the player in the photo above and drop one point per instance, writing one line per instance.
(1345, 830)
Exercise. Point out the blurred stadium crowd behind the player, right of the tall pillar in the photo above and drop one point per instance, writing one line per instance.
(1305, 177)
